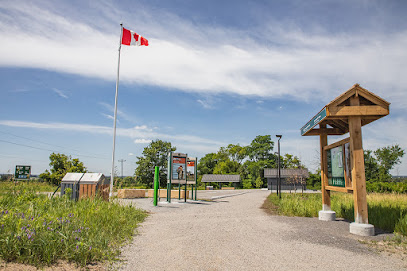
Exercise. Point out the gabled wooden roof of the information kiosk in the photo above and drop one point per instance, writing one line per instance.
(334, 116)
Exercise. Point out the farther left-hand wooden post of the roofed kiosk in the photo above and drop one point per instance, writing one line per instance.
(326, 194)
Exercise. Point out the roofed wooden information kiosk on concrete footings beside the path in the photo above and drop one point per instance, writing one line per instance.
(342, 163)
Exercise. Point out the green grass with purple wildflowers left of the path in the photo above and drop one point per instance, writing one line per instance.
(40, 231)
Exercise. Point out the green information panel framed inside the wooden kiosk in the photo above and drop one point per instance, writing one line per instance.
(336, 171)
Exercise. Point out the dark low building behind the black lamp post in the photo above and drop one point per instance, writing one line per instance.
(290, 178)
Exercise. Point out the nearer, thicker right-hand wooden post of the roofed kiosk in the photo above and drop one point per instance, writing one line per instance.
(358, 166)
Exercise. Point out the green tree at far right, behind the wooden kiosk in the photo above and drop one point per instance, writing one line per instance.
(379, 163)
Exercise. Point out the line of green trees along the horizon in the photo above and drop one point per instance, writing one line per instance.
(247, 161)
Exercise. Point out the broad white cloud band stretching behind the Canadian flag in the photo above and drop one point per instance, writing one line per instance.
(203, 59)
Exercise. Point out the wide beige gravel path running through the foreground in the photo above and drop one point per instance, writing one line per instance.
(233, 233)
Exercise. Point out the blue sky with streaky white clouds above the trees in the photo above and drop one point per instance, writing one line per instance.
(214, 73)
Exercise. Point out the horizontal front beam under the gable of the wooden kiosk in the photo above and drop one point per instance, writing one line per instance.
(367, 110)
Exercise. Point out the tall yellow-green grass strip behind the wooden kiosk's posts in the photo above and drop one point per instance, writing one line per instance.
(386, 211)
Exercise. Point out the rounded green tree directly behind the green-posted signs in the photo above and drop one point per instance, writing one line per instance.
(155, 154)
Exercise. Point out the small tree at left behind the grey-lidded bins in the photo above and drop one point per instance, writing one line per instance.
(61, 164)
